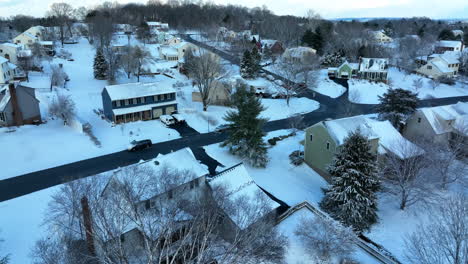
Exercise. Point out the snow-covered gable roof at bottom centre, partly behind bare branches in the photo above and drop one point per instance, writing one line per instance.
(240, 186)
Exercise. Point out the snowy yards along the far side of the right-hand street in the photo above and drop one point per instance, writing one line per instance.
(365, 92)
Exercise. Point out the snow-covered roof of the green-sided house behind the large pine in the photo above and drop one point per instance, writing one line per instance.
(390, 140)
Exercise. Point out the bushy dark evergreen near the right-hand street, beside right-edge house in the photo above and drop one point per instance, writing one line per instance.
(396, 105)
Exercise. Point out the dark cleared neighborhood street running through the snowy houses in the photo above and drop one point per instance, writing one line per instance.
(329, 108)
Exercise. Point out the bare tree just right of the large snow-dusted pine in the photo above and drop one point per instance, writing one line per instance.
(403, 174)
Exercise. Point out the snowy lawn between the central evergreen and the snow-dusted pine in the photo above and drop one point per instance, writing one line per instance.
(288, 183)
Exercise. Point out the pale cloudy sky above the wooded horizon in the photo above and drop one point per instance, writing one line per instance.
(328, 9)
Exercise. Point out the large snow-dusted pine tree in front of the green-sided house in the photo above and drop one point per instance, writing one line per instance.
(351, 199)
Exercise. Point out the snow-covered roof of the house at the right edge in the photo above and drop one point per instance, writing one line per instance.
(443, 118)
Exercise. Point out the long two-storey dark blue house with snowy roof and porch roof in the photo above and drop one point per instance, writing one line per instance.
(138, 101)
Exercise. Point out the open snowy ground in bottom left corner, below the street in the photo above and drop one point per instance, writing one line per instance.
(21, 224)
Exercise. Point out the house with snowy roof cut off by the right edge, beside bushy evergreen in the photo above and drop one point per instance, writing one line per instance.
(438, 124)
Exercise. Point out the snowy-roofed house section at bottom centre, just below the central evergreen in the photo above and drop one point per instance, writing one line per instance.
(239, 185)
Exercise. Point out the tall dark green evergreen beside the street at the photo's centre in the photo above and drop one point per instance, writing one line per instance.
(245, 136)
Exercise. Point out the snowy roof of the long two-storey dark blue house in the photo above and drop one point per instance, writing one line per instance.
(136, 90)
